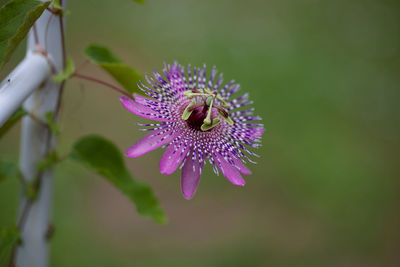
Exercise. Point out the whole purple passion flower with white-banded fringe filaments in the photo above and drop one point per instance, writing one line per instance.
(197, 122)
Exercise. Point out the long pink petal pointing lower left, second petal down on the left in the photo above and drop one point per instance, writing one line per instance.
(150, 142)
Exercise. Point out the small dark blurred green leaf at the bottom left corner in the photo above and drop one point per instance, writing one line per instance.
(9, 237)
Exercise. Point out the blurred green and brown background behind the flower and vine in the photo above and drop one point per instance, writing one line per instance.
(325, 79)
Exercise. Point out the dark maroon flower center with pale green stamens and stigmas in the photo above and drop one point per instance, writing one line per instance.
(199, 112)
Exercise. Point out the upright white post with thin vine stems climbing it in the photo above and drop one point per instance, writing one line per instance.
(36, 142)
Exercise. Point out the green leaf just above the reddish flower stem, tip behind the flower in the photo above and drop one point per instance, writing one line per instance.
(126, 76)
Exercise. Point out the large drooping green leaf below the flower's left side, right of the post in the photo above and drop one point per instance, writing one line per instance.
(105, 158)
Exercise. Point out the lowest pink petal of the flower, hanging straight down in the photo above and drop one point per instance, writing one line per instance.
(190, 178)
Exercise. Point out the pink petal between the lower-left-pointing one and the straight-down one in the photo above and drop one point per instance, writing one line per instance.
(172, 158)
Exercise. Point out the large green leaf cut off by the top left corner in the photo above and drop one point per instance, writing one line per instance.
(16, 18)
